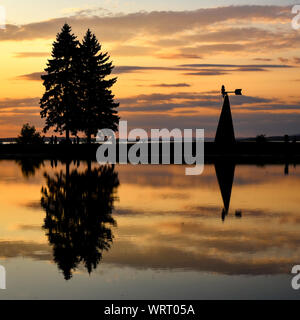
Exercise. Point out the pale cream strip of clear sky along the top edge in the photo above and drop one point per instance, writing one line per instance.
(20, 12)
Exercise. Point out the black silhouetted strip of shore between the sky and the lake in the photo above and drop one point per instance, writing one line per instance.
(241, 152)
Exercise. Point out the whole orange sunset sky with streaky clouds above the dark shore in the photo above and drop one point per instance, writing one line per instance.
(170, 57)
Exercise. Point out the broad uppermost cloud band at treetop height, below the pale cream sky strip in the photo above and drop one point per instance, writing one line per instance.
(168, 29)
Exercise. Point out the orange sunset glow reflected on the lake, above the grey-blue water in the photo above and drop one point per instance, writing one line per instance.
(166, 220)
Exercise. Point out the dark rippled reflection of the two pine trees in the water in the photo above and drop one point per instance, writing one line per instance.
(78, 221)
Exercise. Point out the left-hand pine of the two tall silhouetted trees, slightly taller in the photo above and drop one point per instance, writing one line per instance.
(59, 103)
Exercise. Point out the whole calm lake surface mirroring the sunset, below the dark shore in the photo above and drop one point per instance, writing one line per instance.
(82, 231)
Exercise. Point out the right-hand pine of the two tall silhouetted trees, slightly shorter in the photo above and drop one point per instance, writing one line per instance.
(97, 101)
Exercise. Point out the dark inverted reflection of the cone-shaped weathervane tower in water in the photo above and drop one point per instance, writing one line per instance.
(225, 175)
